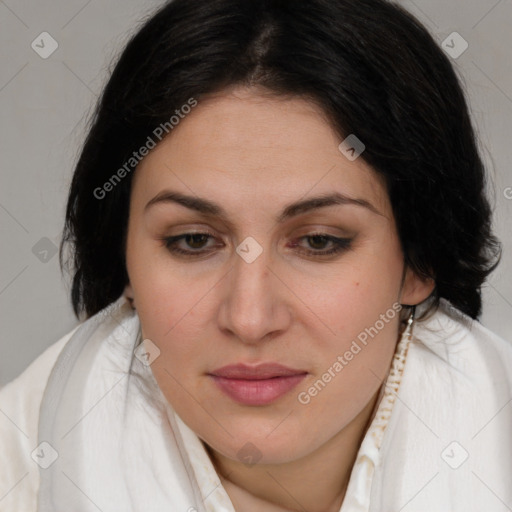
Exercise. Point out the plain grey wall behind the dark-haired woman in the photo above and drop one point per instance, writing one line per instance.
(45, 103)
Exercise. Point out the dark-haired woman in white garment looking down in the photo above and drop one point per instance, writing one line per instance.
(278, 237)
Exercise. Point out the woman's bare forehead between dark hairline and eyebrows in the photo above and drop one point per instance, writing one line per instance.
(248, 148)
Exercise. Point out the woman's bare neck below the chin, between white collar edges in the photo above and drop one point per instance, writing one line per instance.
(326, 472)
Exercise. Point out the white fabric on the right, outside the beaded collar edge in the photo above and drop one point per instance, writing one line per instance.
(452, 413)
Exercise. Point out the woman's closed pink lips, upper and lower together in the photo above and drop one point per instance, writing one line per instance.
(256, 385)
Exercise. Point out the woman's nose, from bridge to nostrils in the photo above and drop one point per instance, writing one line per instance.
(254, 306)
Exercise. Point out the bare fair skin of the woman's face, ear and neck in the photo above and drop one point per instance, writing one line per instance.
(253, 154)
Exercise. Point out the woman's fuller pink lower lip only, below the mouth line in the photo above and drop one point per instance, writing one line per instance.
(257, 392)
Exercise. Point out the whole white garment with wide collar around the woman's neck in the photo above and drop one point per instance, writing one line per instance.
(441, 439)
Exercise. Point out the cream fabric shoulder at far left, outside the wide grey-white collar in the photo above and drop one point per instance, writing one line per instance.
(20, 401)
